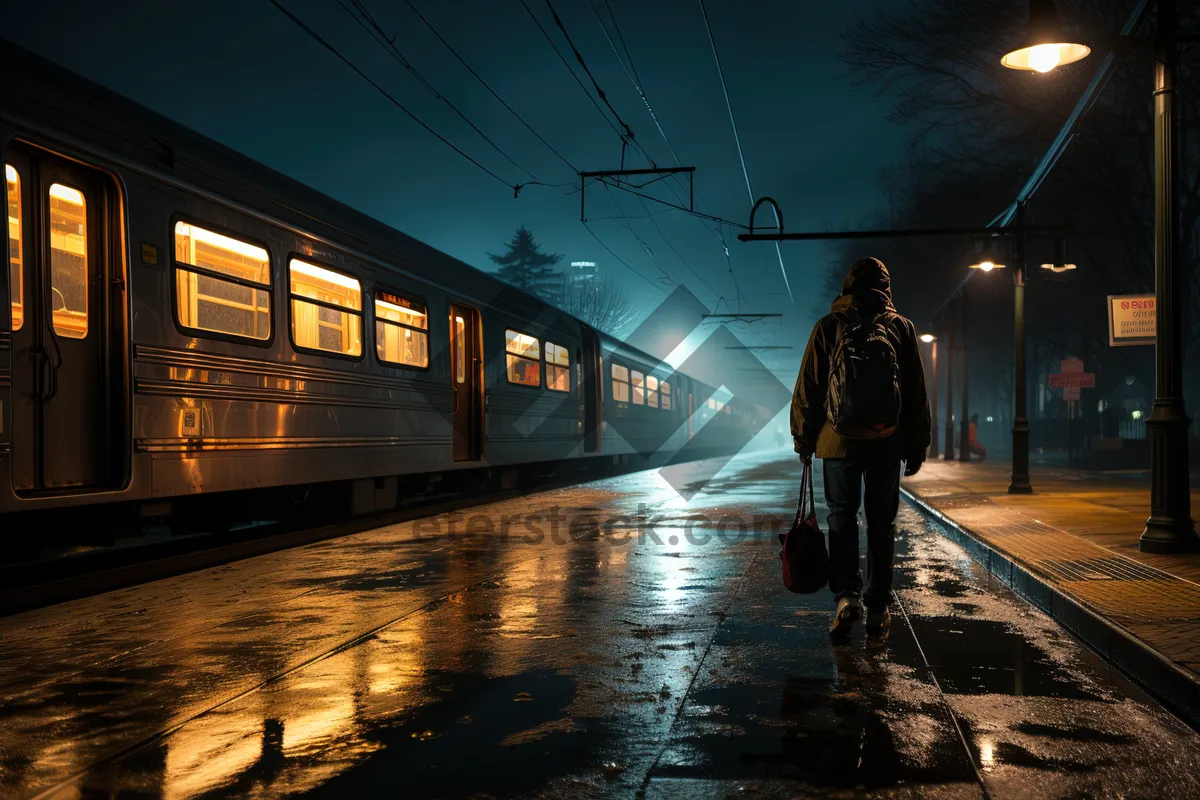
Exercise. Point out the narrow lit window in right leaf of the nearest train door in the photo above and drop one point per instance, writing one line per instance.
(69, 262)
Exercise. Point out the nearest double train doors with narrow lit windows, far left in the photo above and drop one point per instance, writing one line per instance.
(64, 417)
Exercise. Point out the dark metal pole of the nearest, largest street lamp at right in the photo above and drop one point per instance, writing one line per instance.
(1171, 528)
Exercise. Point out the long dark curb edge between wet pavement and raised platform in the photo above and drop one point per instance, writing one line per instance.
(1175, 688)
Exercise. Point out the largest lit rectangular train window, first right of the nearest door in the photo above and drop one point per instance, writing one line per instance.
(223, 285)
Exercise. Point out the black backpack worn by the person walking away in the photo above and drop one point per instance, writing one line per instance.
(865, 380)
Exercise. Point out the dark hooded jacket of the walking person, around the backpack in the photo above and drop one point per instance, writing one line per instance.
(866, 293)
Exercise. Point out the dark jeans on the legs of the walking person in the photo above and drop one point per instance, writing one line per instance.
(844, 479)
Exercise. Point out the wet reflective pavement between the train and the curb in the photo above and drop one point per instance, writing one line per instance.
(607, 641)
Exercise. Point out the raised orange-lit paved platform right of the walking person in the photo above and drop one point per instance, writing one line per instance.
(1072, 549)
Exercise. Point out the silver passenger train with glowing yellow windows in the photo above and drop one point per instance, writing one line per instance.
(184, 321)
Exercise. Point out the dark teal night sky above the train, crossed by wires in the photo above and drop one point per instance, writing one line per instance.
(244, 75)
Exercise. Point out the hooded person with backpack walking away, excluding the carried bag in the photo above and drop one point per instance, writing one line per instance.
(861, 406)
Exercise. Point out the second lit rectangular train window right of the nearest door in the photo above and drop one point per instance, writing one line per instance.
(327, 309)
